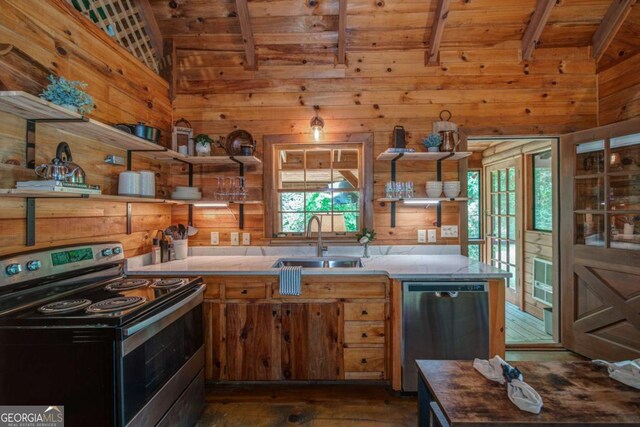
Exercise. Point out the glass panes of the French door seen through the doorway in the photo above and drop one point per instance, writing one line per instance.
(502, 251)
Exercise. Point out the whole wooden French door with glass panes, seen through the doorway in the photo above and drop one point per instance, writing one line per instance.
(503, 223)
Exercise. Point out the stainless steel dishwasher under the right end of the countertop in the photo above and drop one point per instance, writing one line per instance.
(443, 321)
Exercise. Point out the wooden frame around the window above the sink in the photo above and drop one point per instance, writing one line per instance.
(363, 141)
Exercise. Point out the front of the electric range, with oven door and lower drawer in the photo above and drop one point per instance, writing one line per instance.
(160, 356)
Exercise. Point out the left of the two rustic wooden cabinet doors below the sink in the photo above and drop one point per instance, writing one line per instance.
(252, 341)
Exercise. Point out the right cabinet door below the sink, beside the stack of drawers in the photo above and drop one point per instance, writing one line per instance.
(311, 341)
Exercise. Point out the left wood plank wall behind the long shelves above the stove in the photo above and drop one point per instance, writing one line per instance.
(59, 38)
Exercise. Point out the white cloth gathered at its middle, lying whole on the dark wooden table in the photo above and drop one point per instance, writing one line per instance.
(519, 392)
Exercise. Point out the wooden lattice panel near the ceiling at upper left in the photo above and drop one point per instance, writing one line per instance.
(122, 20)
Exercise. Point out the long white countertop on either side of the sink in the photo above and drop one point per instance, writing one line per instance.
(425, 267)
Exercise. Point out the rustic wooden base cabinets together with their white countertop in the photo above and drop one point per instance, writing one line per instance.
(346, 324)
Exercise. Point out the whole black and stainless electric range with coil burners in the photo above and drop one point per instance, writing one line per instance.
(75, 331)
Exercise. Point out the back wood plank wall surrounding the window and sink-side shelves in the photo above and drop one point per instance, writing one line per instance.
(489, 91)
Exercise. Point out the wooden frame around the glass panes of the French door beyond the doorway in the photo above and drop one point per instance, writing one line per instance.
(515, 297)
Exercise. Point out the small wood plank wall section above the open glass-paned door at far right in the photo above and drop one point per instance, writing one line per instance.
(619, 91)
